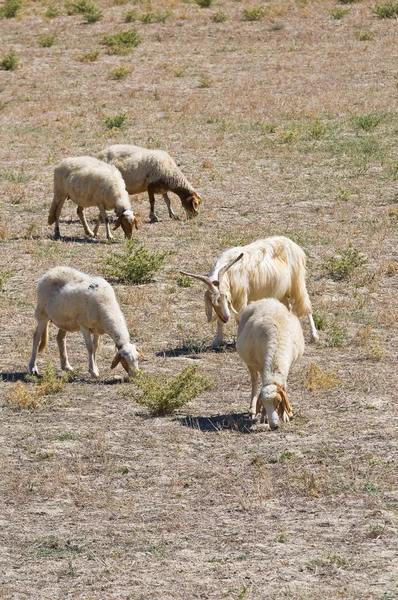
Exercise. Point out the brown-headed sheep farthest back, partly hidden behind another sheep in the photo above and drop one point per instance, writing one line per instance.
(155, 172)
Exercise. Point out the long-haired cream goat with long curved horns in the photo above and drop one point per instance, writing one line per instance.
(269, 268)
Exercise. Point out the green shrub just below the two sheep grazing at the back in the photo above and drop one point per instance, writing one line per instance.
(133, 264)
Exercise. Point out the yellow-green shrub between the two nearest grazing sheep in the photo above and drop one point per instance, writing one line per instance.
(164, 396)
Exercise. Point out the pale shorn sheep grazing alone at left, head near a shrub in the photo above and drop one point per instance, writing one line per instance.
(74, 301)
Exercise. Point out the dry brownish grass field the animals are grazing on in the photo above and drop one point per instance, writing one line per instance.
(283, 116)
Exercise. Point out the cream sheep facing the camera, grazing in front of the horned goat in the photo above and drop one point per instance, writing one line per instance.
(270, 340)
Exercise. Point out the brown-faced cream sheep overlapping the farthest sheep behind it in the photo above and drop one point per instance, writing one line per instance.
(88, 181)
